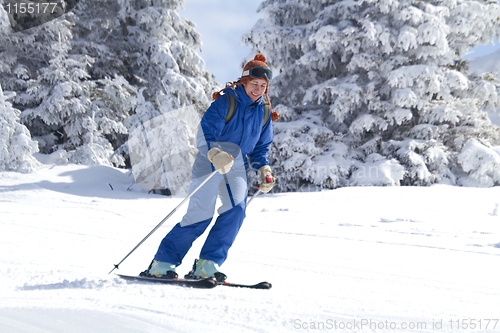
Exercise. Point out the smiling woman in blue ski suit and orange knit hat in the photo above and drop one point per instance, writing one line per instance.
(234, 135)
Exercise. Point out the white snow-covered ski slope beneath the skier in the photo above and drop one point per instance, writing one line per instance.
(360, 259)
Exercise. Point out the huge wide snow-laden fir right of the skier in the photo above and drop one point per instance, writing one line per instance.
(376, 92)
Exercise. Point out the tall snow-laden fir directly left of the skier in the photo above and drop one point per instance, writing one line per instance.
(162, 62)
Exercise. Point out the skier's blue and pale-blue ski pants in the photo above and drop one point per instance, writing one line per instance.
(232, 188)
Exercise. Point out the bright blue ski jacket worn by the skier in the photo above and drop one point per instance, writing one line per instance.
(245, 130)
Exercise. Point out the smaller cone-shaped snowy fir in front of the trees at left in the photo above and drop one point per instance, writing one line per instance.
(63, 116)
